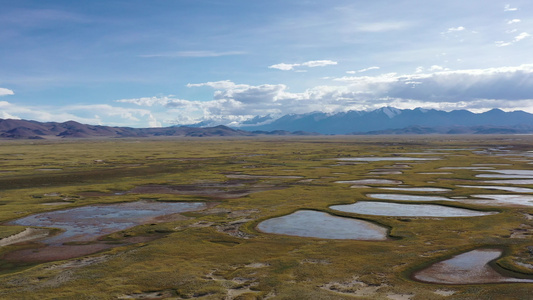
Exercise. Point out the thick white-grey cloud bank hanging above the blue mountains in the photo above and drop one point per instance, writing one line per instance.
(439, 88)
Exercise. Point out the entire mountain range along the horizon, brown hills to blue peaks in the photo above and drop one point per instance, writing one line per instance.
(385, 120)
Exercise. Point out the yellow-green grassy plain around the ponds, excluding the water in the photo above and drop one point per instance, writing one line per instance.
(219, 254)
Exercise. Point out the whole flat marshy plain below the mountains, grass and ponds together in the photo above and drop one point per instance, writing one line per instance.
(267, 218)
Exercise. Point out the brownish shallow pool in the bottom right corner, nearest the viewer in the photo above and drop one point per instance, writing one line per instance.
(466, 268)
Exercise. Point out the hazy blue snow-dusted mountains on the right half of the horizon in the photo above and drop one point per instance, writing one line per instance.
(396, 120)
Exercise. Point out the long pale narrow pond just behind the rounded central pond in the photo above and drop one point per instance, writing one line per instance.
(407, 210)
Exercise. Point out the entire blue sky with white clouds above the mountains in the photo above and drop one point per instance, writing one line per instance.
(155, 63)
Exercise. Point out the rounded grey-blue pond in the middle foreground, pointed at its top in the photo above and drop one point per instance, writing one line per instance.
(310, 223)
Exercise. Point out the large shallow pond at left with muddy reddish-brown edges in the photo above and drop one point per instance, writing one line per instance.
(82, 226)
